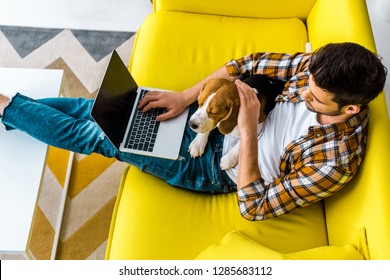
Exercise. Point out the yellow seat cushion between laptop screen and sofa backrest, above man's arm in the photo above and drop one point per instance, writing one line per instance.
(175, 50)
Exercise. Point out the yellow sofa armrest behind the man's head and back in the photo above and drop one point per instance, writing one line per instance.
(364, 202)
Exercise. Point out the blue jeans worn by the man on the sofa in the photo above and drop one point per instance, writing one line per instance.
(66, 123)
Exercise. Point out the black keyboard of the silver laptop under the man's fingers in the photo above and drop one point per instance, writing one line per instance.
(143, 130)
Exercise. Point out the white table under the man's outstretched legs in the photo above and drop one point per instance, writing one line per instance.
(22, 162)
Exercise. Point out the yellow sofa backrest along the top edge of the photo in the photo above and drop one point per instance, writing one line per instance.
(243, 8)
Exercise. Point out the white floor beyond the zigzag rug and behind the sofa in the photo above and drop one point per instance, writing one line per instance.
(127, 15)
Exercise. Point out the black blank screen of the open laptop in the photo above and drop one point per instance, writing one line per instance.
(115, 100)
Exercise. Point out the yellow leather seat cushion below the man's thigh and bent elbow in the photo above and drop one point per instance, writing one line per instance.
(153, 220)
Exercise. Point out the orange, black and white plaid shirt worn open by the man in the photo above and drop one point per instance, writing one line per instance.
(313, 166)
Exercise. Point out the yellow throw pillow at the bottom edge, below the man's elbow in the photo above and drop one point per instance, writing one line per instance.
(236, 245)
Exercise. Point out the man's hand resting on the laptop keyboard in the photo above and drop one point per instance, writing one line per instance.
(174, 102)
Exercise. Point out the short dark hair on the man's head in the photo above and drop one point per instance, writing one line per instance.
(352, 73)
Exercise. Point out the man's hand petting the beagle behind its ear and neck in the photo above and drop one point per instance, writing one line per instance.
(249, 112)
